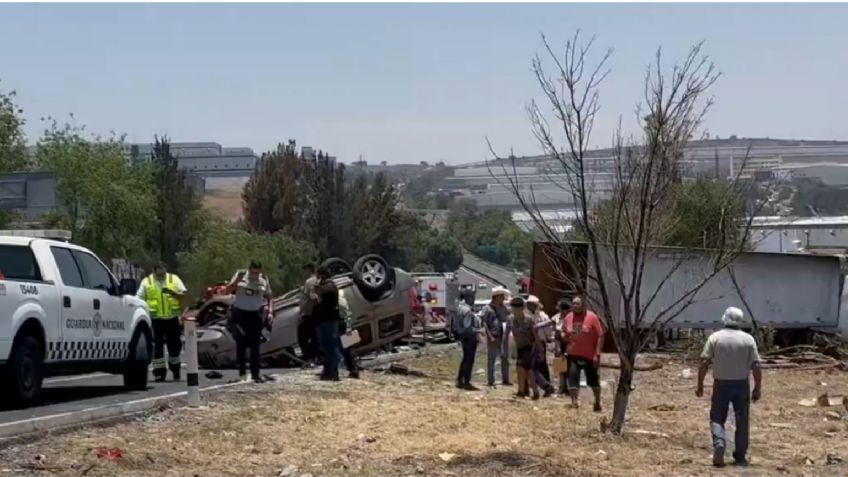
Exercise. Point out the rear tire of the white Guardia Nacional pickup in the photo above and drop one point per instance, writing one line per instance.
(24, 372)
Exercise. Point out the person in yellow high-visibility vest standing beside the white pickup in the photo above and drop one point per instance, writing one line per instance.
(164, 293)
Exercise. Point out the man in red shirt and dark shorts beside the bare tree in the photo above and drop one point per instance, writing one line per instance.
(584, 336)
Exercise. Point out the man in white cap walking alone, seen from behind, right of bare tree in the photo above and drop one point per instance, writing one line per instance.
(733, 356)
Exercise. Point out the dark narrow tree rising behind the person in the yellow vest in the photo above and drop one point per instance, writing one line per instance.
(177, 206)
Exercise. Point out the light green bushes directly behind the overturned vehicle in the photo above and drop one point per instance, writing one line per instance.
(224, 248)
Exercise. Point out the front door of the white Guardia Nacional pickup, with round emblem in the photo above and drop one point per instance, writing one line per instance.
(109, 322)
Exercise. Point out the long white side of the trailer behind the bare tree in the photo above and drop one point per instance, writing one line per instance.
(784, 291)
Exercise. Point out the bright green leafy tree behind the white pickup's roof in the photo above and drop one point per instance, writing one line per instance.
(106, 202)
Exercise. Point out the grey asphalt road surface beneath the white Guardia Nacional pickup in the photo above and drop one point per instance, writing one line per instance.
(74, 393)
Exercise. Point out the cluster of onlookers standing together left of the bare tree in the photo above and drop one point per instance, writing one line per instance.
(574, 334)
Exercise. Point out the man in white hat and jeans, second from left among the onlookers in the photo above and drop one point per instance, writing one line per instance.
(495, 319)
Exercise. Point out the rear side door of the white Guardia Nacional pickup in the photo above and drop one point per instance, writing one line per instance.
(78, 334)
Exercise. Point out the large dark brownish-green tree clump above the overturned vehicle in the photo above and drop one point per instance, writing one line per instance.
(315, 199)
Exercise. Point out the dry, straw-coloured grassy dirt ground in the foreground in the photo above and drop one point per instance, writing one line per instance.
(388, 424)
